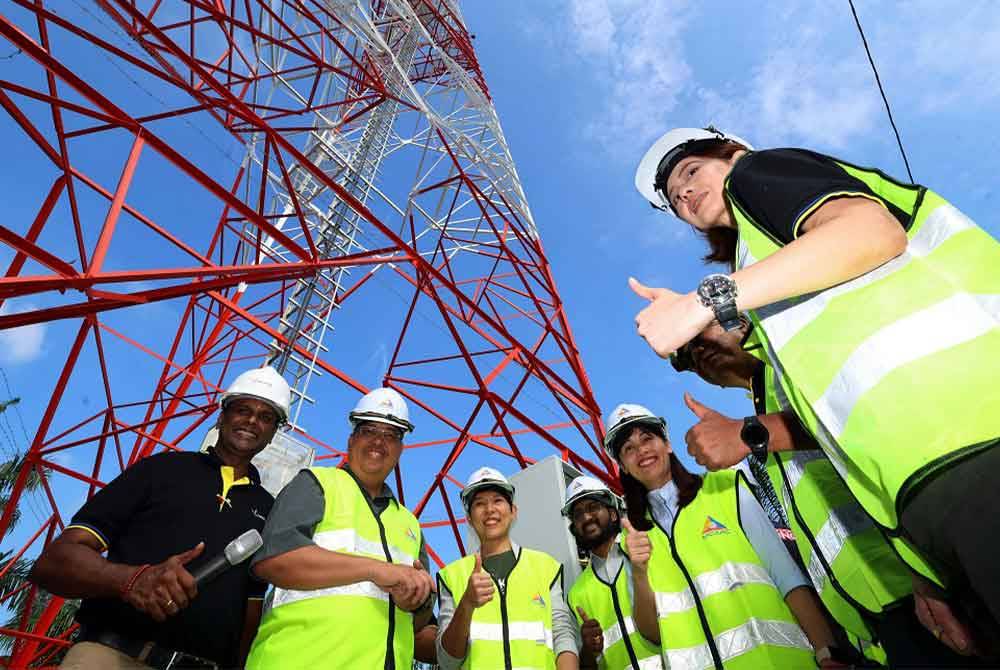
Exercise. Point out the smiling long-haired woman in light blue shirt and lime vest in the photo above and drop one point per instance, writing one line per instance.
(712, 581)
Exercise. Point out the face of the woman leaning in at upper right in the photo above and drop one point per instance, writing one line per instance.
(694, 188)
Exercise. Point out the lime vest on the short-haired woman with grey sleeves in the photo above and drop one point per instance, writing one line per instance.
(514, 629)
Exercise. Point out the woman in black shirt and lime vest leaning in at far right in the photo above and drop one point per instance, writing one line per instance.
(878, 306)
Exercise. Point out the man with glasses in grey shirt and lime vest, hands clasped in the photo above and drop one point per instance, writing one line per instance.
(347, 560)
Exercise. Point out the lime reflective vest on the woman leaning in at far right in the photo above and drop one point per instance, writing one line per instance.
(929, 314)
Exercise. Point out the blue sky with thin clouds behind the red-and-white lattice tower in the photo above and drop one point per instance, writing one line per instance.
(581, 88)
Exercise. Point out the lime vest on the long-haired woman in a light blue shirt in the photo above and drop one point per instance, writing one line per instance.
(715, 601)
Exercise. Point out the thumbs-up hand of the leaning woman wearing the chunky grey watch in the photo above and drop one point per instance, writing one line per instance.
(671, 319)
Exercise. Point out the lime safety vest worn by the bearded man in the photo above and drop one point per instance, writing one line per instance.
(609, 604)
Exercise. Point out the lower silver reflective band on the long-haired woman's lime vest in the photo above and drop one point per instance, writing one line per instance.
(737, 641)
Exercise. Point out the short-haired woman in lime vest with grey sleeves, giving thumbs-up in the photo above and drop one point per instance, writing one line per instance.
(503, 606)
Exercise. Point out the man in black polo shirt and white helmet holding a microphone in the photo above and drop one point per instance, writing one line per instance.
(159, 520)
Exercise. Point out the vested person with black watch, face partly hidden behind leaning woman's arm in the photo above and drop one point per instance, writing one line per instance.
(861, 580)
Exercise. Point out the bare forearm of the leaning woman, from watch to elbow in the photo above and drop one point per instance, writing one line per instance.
(855, 241)
